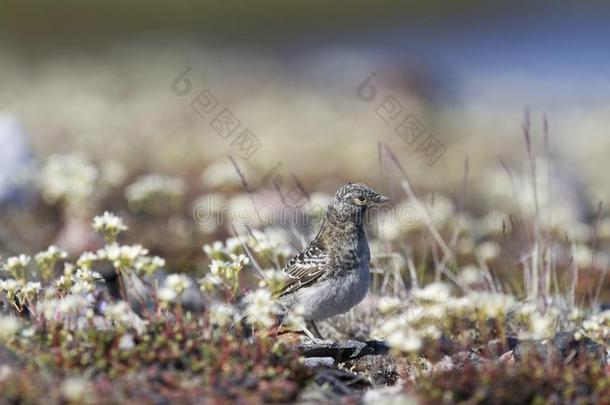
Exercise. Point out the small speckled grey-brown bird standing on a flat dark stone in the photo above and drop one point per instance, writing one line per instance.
(331, 274)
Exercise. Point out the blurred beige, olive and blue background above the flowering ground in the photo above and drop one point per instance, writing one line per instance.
(112, 106)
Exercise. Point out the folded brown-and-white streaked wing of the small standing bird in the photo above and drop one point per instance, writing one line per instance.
(303, 269)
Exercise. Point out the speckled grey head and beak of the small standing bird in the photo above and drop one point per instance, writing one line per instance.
(352, 200)
